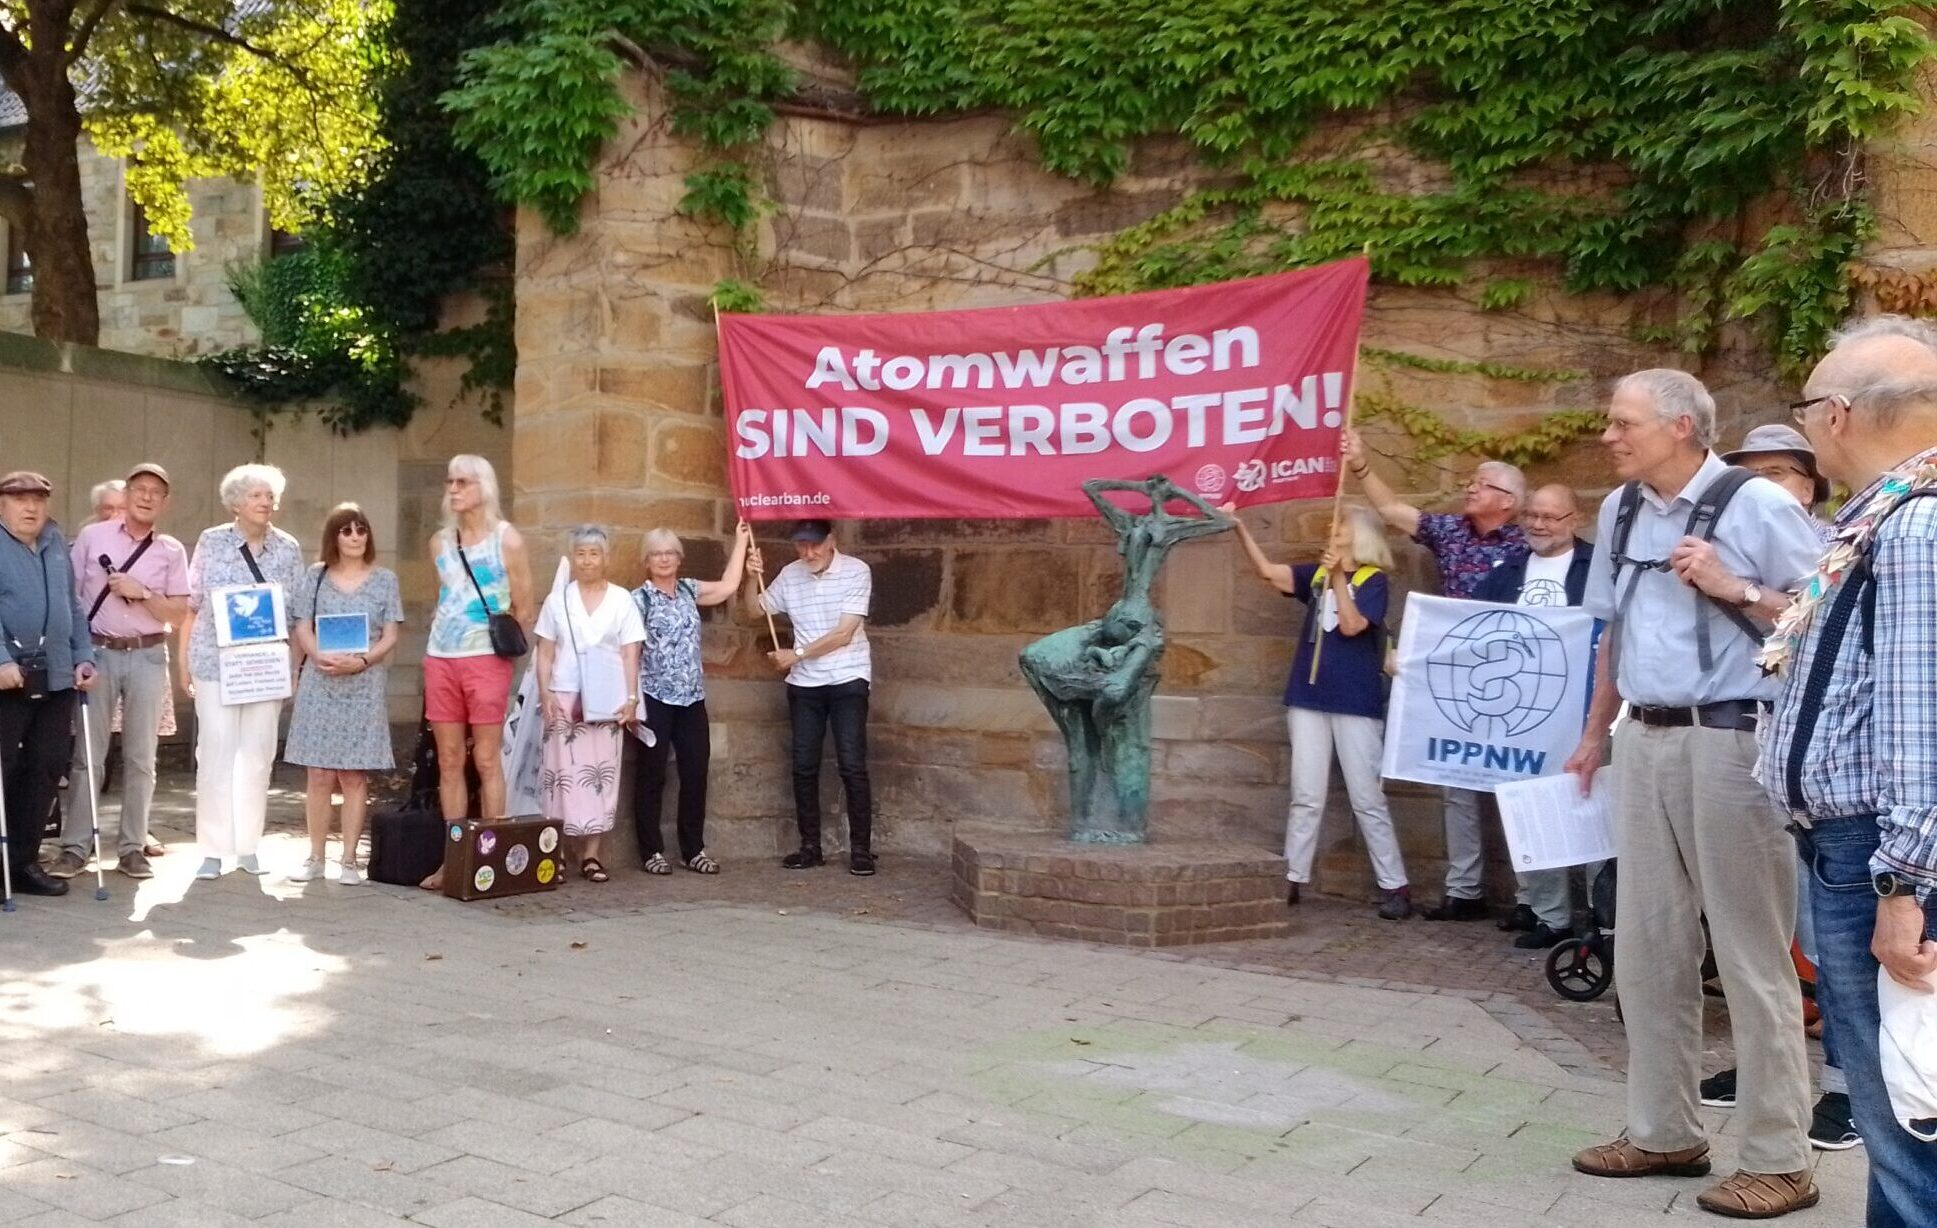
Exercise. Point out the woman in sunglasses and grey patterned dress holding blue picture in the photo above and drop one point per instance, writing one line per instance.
(342, 729)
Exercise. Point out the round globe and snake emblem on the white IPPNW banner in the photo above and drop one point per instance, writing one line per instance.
(1498, 675)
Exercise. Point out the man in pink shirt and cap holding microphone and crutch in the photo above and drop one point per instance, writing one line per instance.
(135, 586)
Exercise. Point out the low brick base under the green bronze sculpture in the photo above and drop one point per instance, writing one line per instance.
(1142, 896)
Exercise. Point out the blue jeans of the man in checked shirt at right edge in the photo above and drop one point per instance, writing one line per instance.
(1903, 1173)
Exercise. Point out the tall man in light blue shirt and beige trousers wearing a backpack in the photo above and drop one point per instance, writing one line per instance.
(1696, 561)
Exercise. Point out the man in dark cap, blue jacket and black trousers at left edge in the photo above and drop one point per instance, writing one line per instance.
(44, 660)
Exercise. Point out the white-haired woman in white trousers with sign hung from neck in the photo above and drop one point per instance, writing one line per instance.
(235, 743)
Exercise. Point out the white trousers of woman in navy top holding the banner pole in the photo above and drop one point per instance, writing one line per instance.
(1359, 743)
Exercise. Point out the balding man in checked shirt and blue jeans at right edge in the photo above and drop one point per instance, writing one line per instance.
(1853, 752)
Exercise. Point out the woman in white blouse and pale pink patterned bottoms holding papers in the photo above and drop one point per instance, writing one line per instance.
(590, 638)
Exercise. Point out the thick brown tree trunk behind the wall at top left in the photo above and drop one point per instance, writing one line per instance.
(65, 305)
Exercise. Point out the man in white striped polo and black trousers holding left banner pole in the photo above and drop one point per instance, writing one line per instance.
(826, 596)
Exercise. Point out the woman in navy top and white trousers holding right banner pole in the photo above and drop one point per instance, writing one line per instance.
(1343, 708)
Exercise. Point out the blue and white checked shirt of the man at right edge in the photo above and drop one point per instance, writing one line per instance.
(1874, 749)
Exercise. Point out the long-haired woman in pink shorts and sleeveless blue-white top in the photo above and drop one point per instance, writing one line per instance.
(483, 570)
